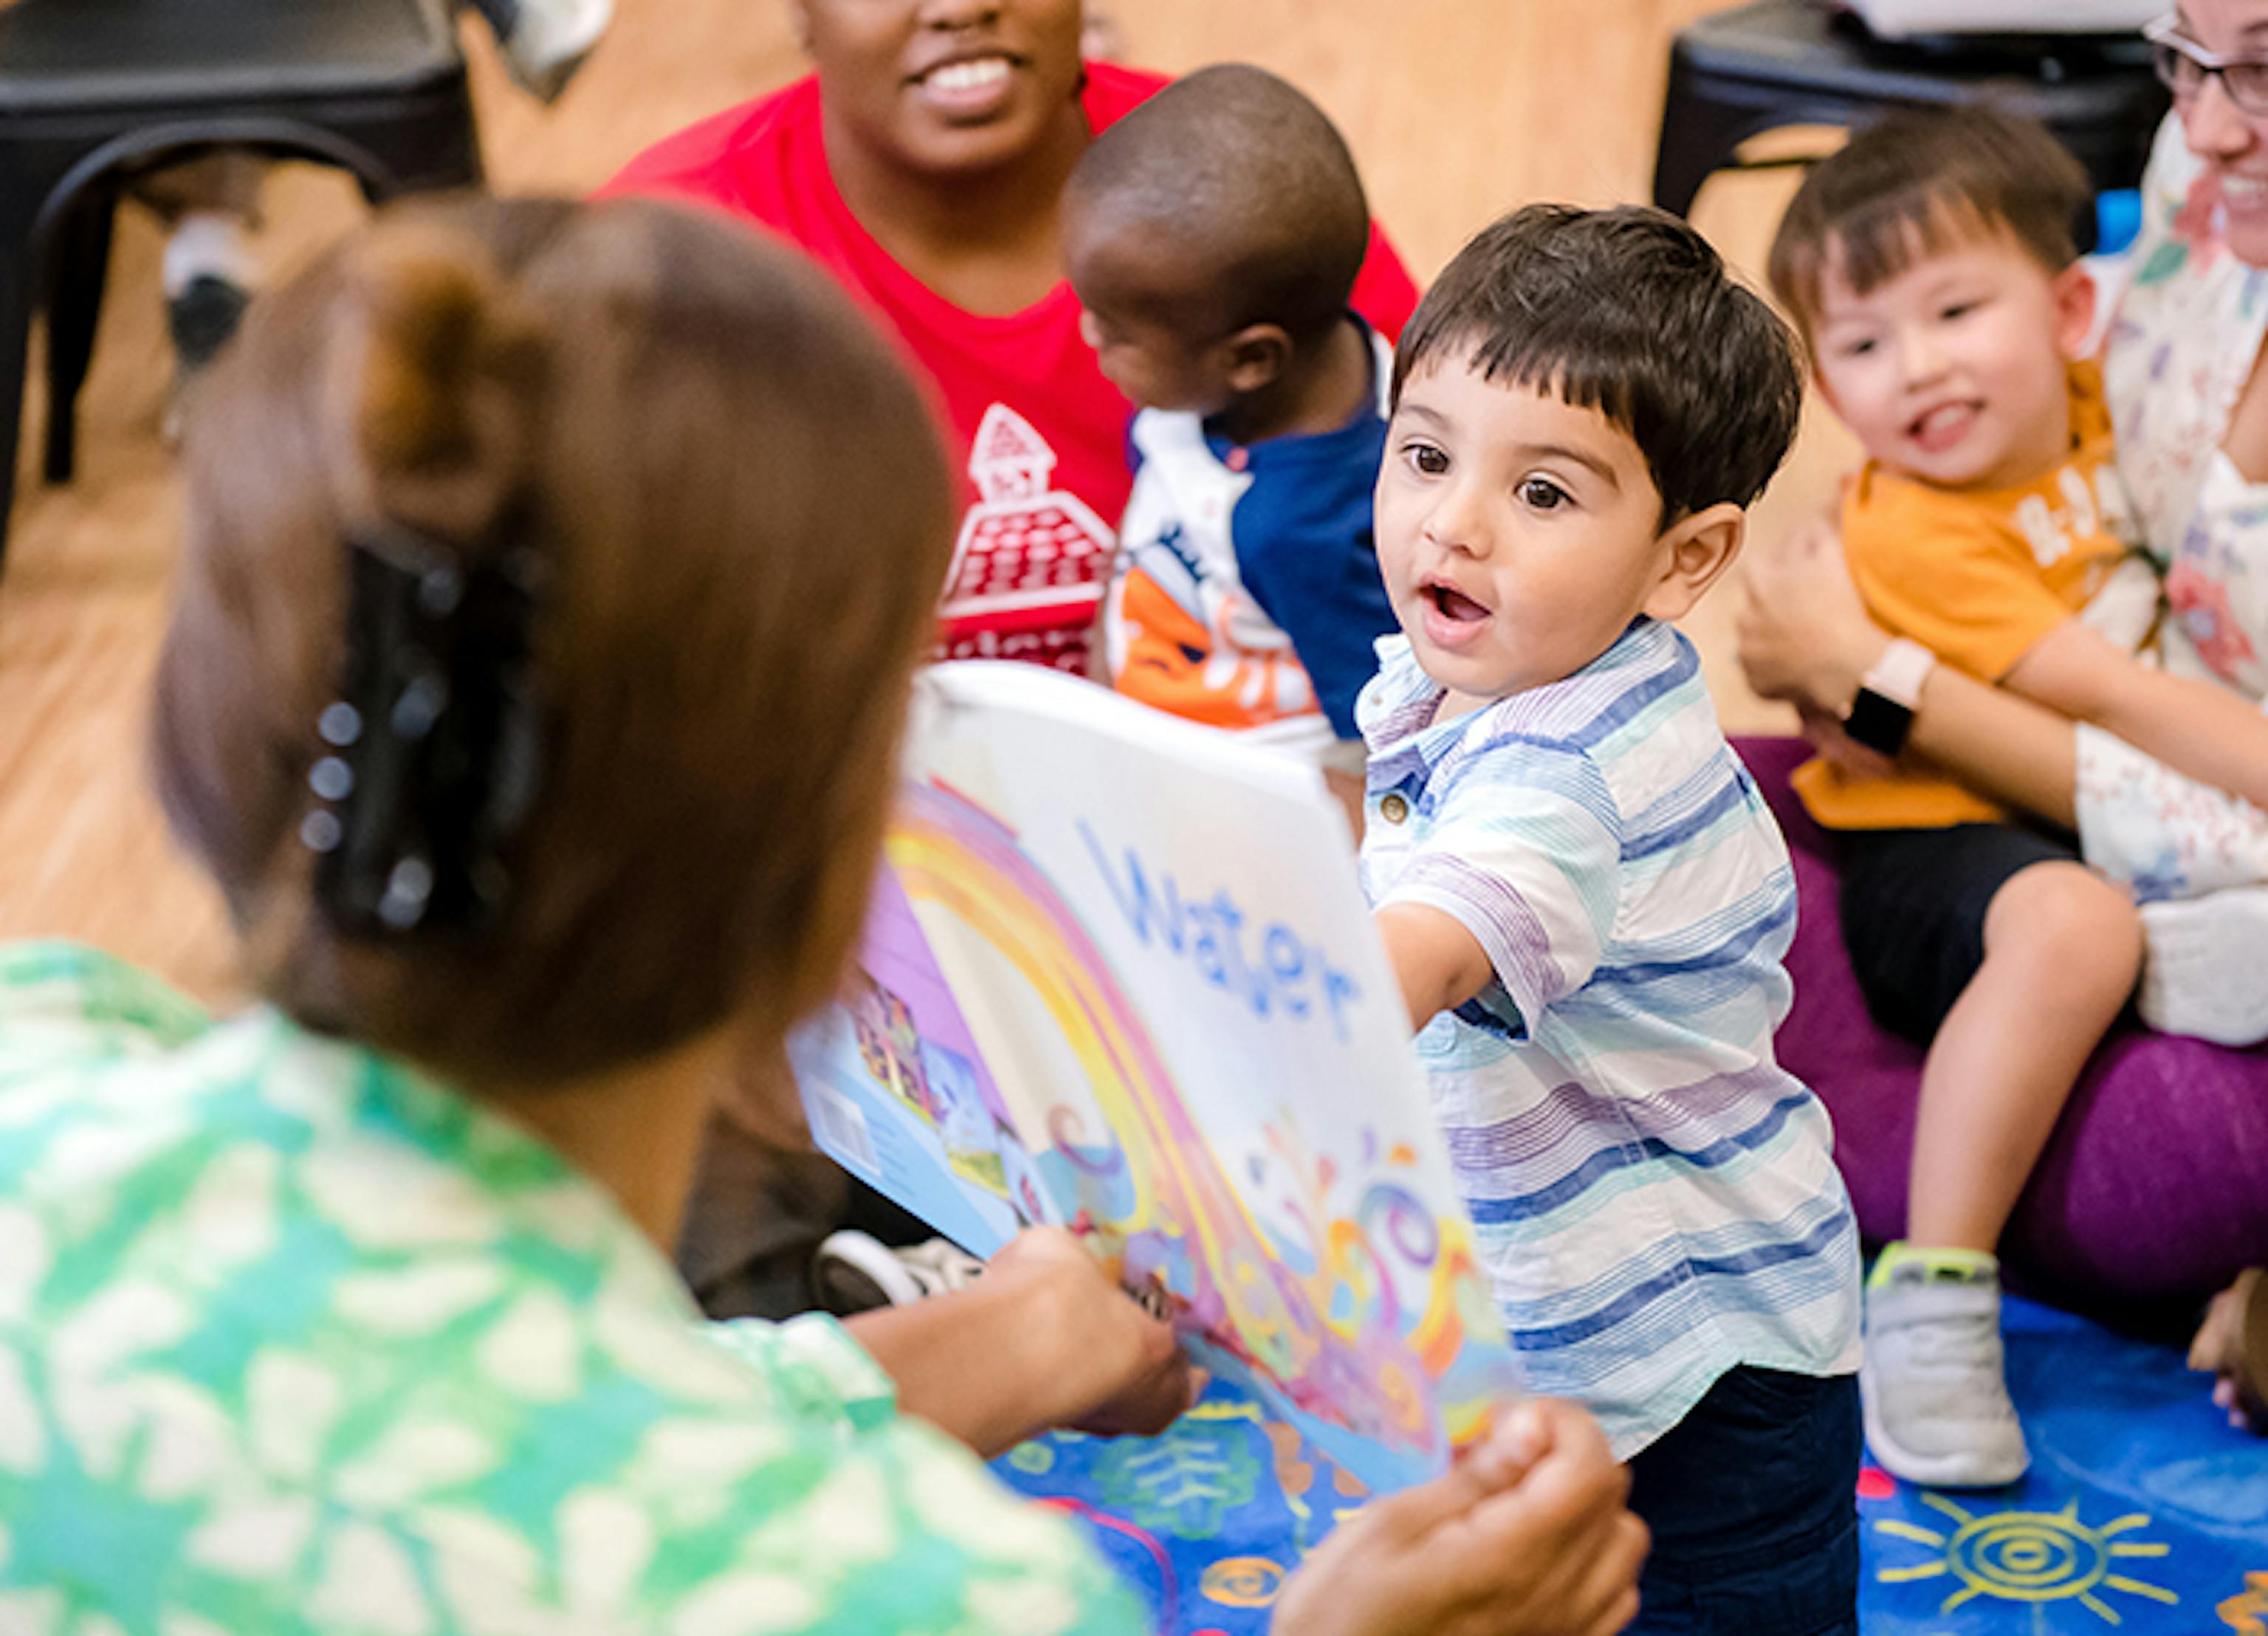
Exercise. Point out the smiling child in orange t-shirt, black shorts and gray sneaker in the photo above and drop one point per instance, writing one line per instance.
(1933, 271)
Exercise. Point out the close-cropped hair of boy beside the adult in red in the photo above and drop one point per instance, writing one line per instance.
(1249, 183)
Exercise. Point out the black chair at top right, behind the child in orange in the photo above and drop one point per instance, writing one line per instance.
(1800, 62)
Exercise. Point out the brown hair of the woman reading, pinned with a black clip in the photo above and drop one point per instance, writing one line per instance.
(741, 509)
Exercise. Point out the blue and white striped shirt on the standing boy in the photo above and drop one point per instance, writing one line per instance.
(1655, 1197)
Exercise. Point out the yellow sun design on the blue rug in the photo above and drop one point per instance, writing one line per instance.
(2031, 1558)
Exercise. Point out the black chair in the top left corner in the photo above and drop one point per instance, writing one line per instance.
(99, 92)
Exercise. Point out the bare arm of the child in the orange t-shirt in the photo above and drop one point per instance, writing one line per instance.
(2197, 727)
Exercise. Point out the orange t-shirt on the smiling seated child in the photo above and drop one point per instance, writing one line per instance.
(1979, 580)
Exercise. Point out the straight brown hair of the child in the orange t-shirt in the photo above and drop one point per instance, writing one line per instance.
(1920, 183)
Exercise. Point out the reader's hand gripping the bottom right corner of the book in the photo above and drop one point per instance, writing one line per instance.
(1523, 1537)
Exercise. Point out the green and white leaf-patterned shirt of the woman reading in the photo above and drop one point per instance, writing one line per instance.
(294, 1340)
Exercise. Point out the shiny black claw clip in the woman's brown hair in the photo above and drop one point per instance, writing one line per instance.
(432, 743)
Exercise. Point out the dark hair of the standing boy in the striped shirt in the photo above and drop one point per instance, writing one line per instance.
(1627, 312)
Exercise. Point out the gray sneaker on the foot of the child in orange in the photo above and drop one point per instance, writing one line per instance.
(1933, 1381)
